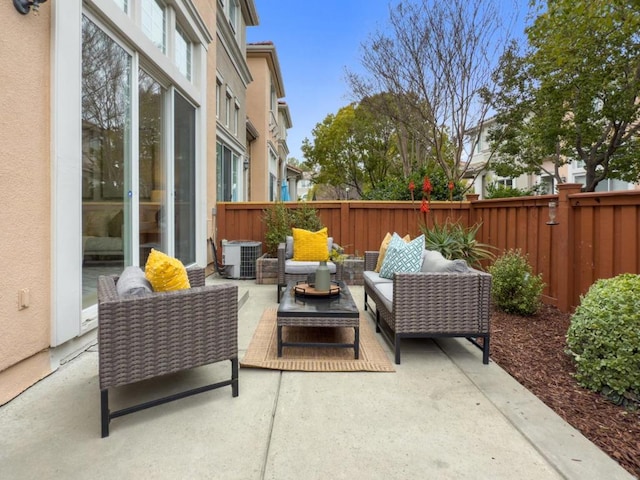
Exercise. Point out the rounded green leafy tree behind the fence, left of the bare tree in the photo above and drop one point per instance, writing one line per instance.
(353, 148)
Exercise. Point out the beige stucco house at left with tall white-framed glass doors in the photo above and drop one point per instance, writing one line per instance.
(110, 134)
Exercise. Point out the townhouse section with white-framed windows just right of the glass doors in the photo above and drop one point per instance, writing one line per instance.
(232, 78)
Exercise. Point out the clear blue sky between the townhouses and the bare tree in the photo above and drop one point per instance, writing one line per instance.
(315, 40)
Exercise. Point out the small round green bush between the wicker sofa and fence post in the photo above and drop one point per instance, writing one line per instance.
(515, 289)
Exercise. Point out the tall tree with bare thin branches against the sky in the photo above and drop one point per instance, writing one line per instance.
(436, 61)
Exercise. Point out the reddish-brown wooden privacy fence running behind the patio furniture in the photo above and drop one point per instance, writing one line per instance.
(596, 236)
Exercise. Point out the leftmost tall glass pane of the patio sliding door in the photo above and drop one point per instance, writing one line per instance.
(106, 159)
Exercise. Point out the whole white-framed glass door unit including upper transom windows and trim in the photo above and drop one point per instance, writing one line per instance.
(129, 153)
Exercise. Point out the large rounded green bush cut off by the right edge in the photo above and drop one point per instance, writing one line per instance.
(604, 339)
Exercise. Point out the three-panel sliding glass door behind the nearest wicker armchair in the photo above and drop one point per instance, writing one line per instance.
(128, 206)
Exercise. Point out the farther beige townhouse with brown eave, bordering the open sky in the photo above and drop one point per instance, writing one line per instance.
(264, 113)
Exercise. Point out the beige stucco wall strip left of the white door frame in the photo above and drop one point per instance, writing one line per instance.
(25, 234)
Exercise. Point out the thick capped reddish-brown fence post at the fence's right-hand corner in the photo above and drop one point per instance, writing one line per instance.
(564, 246)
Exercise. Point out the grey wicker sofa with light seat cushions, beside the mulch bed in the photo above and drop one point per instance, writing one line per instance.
(429, 305)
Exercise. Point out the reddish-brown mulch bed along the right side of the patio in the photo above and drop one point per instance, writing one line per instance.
(532, 350)
